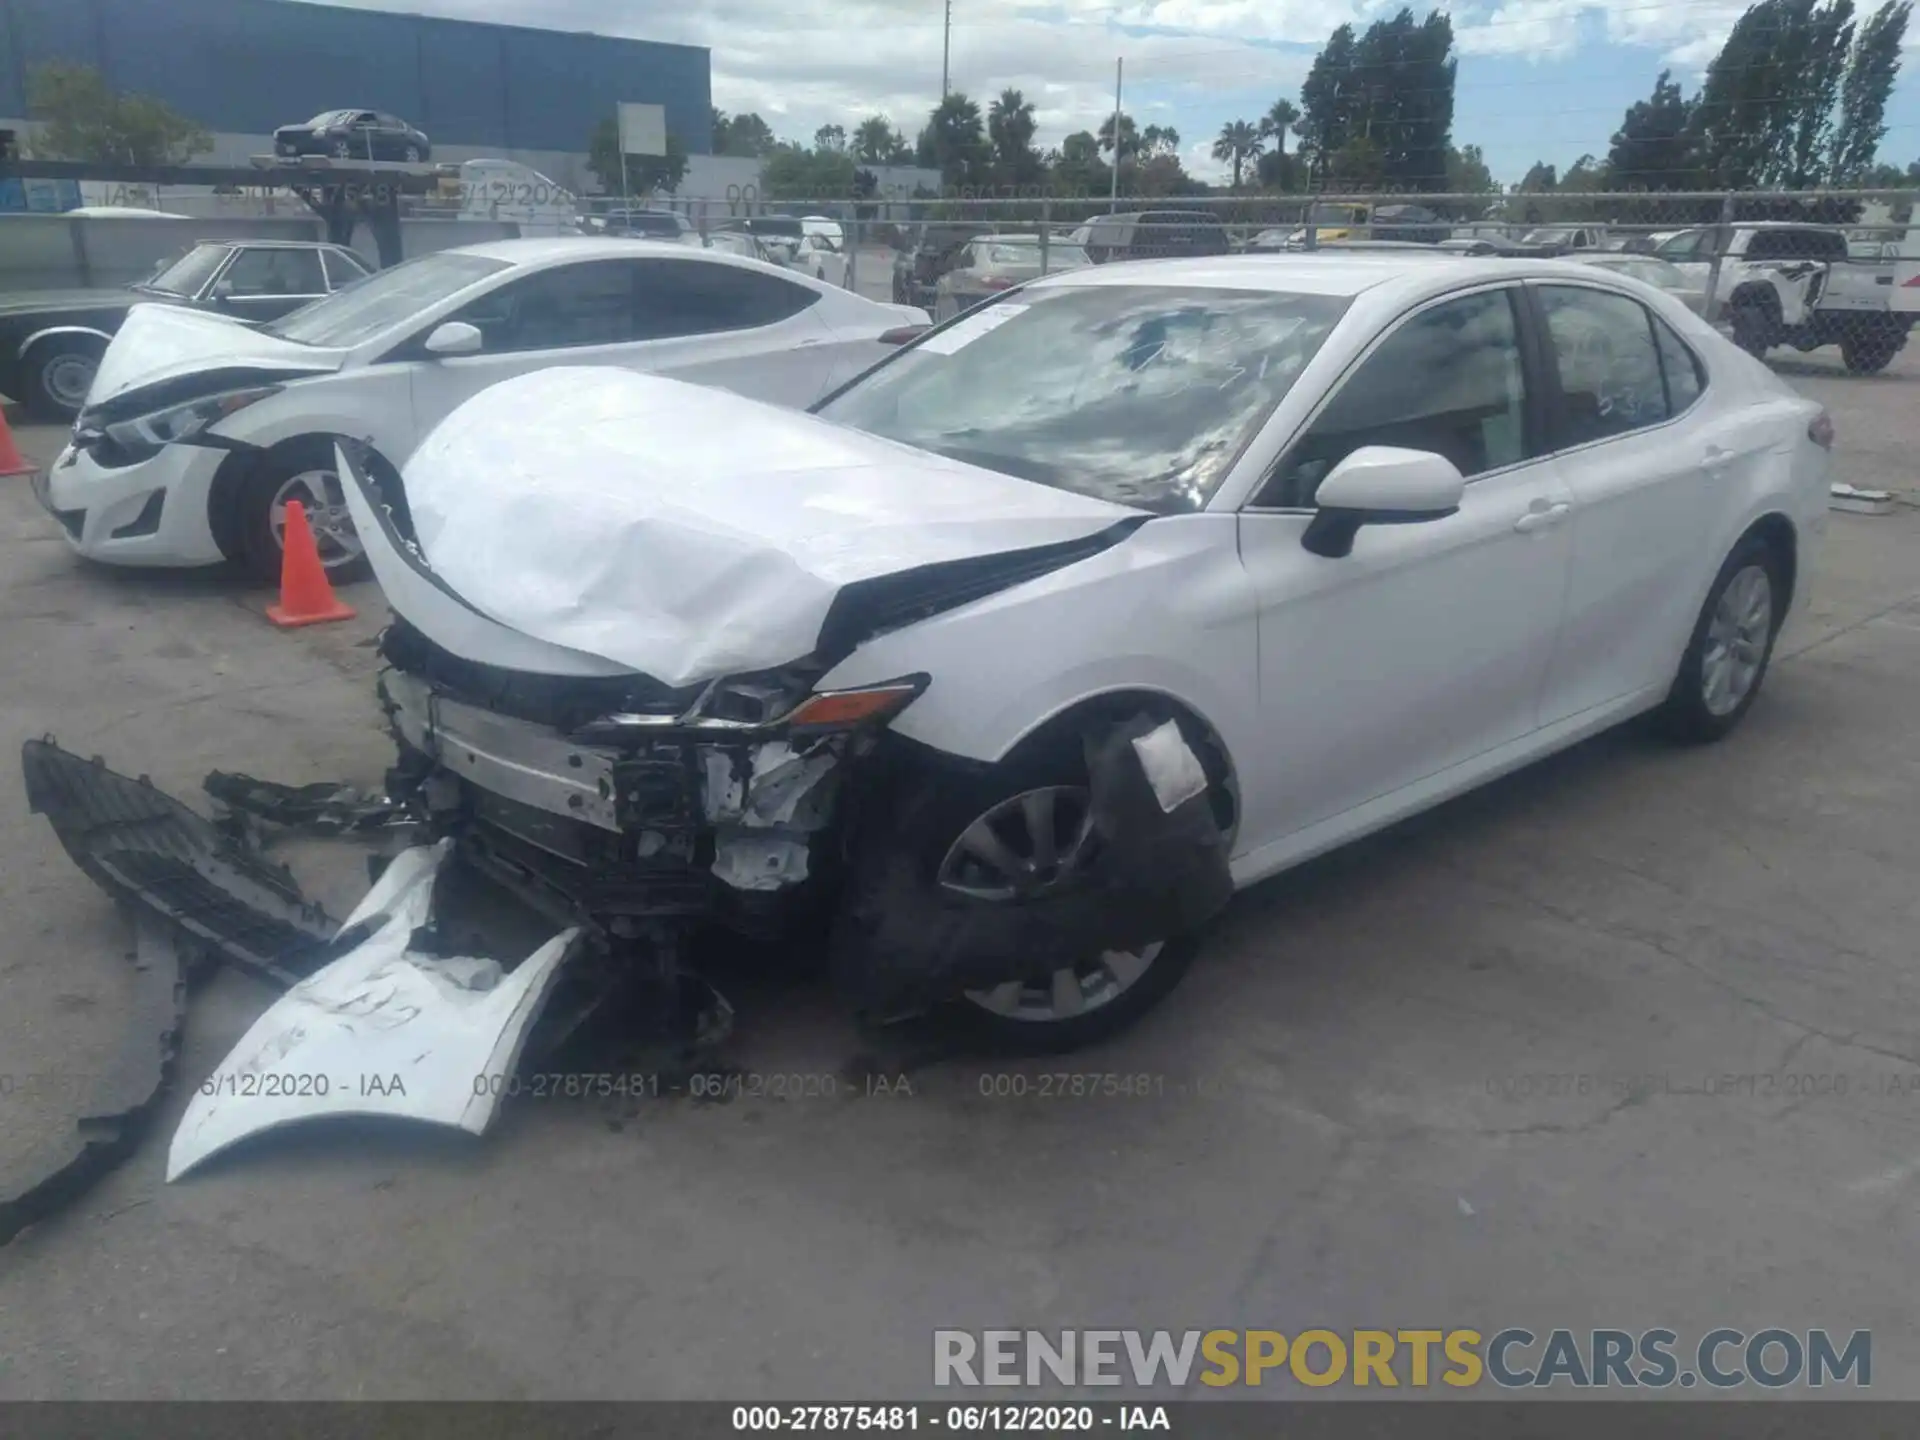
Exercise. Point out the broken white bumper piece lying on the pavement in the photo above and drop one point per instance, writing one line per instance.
(379, 1032)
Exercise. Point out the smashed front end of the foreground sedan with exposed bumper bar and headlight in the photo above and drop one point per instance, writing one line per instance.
(621, 804)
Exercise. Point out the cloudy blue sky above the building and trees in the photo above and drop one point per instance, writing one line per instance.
(1539, 80)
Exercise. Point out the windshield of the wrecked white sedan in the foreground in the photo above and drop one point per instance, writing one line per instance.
(1136, 395)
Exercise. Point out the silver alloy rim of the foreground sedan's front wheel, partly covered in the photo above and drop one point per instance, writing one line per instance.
(1026, 848)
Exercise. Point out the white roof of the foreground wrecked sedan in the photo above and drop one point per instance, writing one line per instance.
(1320, 274)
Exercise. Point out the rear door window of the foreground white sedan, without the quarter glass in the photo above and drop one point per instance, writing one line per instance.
(1608, 366)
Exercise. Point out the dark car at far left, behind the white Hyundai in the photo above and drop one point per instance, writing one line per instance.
(51, 341)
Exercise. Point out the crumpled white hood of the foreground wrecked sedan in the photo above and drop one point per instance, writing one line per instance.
(688, 533)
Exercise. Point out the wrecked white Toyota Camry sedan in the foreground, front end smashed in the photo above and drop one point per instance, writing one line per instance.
(1136, 587)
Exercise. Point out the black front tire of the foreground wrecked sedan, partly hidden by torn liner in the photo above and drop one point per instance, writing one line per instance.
(923, 823)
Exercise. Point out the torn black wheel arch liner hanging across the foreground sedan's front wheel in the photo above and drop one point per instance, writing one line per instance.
(1163, 871)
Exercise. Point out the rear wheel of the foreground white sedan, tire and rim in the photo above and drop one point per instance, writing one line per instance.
(1731, 648)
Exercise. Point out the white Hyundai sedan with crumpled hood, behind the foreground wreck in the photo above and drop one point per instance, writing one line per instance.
(199, 431)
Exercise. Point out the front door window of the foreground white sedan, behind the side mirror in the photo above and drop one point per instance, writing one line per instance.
(1451, 381)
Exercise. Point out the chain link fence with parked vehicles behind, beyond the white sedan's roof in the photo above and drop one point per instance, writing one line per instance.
(1773, 270)
